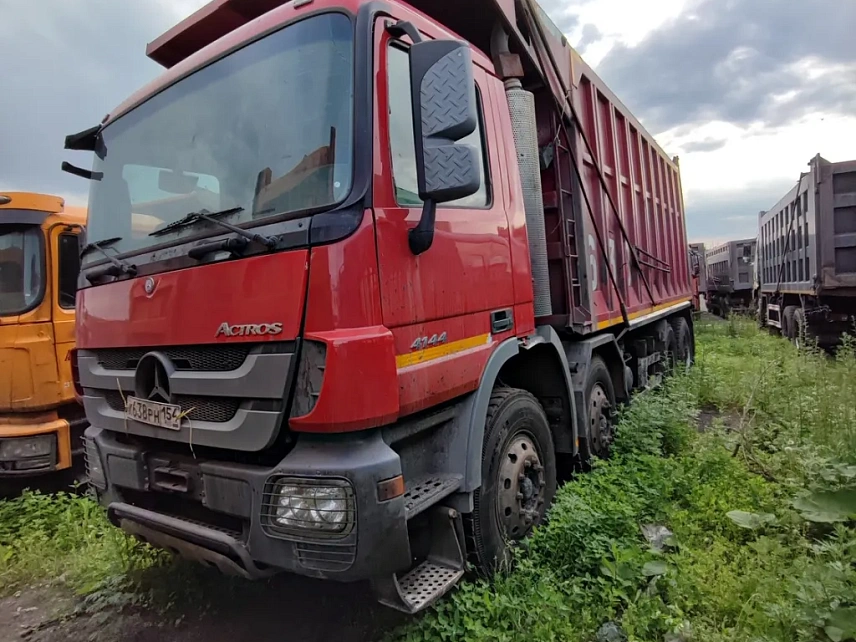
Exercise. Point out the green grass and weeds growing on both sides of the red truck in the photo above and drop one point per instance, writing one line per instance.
(781, 449)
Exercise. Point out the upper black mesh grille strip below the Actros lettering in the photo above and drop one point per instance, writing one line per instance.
(217, 358)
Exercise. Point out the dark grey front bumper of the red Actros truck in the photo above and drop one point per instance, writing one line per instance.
(215, 511)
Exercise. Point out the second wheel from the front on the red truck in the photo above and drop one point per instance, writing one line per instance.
(600, 402)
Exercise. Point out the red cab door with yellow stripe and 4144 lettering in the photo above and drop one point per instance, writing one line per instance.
(443, 305)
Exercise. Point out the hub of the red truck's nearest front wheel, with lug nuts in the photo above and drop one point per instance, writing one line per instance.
(520, 500)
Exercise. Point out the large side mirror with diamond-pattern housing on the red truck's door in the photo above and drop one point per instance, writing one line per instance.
(444, 111)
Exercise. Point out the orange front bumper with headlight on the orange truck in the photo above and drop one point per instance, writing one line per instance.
(17, 433)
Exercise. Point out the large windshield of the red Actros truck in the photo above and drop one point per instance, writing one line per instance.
(267, 128)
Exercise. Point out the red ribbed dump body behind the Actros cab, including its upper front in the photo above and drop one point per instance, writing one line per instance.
(616, 240)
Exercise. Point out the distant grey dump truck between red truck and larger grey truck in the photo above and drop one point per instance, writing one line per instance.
(730, 277)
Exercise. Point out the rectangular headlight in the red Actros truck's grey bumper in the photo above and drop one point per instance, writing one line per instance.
(303, 507)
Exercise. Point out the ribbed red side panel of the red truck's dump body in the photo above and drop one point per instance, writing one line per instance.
(644, 185)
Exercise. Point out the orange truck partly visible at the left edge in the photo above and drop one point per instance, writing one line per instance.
(41, 421)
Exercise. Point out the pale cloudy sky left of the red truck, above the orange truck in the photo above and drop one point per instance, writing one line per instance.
(74, 62)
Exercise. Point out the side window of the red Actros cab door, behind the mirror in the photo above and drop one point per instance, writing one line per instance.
(401, 137)
